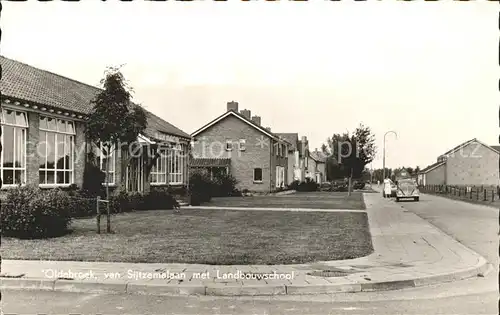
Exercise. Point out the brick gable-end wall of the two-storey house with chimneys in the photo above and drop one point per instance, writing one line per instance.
(211, 144)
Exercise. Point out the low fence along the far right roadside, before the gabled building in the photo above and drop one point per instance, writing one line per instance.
(483, 194)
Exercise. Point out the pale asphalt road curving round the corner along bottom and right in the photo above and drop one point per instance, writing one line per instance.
(474, 226)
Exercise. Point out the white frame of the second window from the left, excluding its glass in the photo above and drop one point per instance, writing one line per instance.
(67, 134)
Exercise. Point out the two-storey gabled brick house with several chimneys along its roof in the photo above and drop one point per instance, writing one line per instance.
(238, 143)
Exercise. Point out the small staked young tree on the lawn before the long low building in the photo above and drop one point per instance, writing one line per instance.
(114, 120)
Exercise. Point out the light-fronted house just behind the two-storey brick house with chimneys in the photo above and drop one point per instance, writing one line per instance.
(298, 154)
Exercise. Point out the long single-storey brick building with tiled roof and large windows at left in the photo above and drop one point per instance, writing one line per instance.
(43, 136)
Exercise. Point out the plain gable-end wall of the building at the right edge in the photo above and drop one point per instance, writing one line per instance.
(475, 164)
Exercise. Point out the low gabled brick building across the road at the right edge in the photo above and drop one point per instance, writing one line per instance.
(470, 163)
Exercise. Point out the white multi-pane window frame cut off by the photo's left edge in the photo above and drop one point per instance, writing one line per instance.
(23, 128)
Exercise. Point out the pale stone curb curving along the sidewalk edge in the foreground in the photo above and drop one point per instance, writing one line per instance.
(482, 267)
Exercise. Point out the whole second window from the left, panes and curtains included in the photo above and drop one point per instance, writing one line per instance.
(57, 142)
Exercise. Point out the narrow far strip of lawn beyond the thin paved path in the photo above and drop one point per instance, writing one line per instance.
(311, 200)
